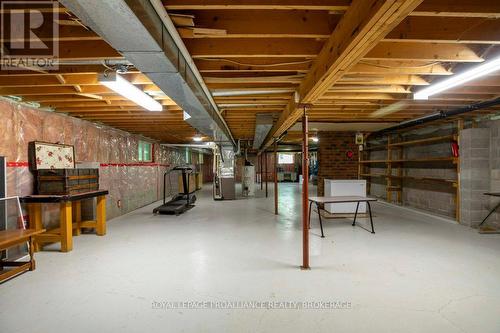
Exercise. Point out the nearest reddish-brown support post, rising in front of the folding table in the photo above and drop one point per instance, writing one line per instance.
(305, 192)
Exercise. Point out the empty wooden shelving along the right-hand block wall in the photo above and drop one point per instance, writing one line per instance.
(395, 164)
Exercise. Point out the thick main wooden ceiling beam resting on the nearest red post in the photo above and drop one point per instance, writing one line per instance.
(365, 23)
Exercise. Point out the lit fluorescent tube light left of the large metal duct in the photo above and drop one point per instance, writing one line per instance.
(123, 87)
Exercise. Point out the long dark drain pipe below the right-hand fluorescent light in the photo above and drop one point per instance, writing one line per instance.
(441, 115)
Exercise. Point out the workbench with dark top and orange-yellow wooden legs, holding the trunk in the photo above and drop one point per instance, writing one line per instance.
(68, 203)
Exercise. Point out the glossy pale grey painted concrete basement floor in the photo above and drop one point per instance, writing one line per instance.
(417, 274)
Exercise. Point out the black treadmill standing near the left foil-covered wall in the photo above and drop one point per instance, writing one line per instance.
(181, 202)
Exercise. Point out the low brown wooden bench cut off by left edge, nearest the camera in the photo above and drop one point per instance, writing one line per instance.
(11, 238)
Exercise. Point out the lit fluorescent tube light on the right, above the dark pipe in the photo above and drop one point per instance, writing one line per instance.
(456, 80)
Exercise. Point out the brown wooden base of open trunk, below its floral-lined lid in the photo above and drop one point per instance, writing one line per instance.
(67, 181)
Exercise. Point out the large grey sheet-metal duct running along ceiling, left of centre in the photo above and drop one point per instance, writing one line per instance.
(136, 30)
